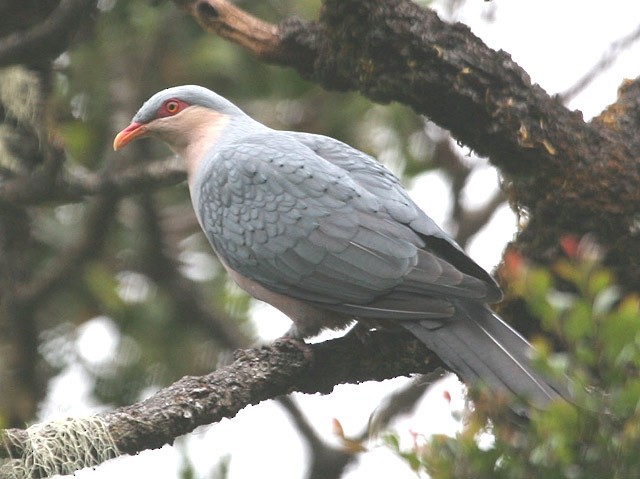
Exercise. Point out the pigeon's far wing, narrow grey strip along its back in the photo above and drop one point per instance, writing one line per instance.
(382, 183)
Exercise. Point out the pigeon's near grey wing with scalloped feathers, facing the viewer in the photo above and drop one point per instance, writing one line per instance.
(280, 215)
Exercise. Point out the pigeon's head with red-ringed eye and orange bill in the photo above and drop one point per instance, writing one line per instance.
(183, 117)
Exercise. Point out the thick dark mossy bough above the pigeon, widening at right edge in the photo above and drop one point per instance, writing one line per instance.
(393, 50)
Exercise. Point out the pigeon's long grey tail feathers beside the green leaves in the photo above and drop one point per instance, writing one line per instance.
(483, 349)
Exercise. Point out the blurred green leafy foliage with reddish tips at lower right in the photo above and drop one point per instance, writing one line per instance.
(595, 436)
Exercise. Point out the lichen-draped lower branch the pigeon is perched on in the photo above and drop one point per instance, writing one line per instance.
(254, 376)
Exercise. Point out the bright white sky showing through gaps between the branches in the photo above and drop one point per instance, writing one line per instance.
(556, 42)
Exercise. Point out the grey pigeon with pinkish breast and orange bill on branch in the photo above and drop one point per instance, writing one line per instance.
(326, 234)
